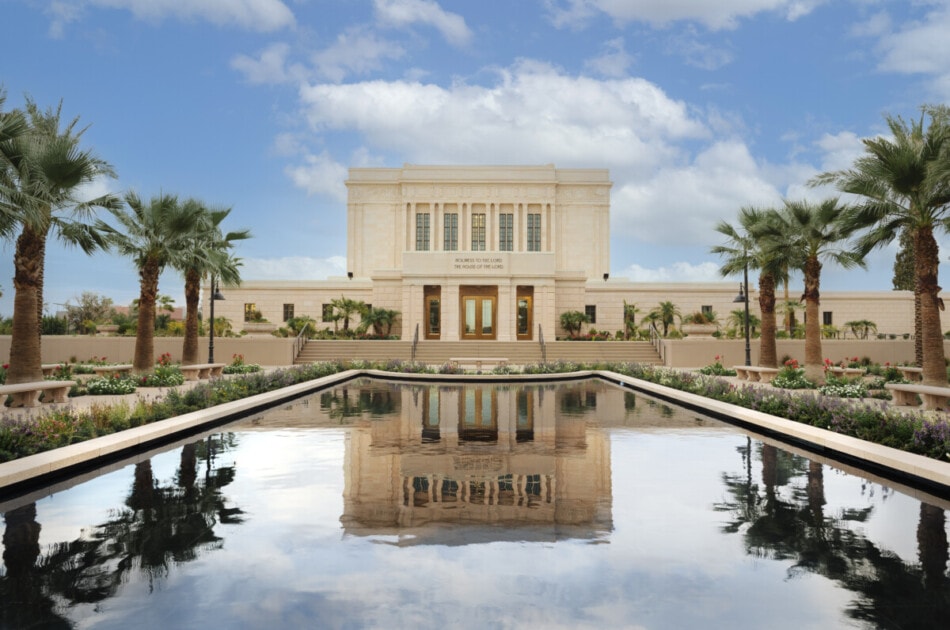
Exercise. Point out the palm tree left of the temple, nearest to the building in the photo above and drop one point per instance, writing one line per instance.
(205, 254)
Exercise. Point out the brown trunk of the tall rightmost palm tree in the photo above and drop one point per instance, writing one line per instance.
(926, 262)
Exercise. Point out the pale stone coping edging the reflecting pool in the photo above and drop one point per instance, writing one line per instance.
(876, 457)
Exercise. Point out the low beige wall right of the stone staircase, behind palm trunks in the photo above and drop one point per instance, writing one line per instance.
(692, 353)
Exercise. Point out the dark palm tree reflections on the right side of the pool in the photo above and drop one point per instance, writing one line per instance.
(889, 592)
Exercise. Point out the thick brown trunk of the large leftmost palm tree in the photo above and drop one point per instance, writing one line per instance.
(25, 349)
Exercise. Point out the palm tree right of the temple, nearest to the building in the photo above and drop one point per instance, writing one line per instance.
(750, 247)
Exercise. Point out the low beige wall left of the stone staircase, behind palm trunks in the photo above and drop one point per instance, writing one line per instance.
(264, 349)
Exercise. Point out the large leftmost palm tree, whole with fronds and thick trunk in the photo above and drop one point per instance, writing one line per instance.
(42, 170)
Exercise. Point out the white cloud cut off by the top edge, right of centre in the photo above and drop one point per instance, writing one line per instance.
(721, 14)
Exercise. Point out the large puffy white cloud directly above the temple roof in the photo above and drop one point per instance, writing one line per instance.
(532, 114)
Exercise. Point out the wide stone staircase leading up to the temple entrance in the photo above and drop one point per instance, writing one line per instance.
(517, 352)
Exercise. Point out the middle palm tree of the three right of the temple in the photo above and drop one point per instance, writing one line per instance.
(813, 233)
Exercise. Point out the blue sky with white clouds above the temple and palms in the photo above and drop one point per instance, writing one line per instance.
(697, 107)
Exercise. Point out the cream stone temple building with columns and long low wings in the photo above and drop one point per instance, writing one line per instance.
(499, 253)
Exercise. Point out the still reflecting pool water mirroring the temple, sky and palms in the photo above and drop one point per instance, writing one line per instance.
(404, 505)
